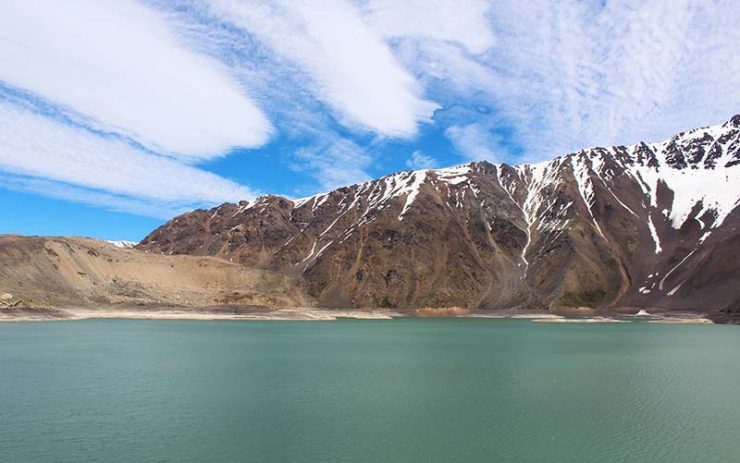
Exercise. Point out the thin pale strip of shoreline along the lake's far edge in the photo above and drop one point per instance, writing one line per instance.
(225, 313)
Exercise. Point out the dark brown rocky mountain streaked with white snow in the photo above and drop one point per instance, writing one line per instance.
(650, 225)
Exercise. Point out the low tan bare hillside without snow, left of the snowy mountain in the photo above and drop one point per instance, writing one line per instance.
(63, 272)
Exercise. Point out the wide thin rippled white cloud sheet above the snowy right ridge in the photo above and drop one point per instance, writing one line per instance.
(563, 75)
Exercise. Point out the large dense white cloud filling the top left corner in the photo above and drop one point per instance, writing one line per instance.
(118, 63)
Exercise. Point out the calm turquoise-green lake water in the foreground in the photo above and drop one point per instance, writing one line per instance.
(412, 390)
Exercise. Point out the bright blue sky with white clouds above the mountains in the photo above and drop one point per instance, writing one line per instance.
(116, 115)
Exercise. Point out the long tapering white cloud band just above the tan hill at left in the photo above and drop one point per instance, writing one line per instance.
(100, 169)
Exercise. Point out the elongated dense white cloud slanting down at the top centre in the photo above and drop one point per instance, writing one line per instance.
(348, 65)
